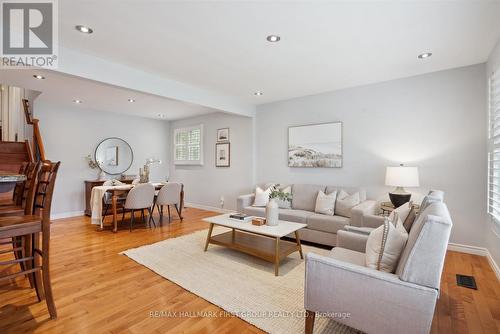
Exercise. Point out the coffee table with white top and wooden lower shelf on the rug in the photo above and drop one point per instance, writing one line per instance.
(259, 241)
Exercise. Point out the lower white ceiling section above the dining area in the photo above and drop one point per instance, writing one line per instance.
(64, 89)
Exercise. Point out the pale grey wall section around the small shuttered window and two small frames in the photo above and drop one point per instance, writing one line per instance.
(204, 185)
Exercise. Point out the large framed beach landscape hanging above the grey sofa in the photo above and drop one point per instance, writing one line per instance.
(316, 145)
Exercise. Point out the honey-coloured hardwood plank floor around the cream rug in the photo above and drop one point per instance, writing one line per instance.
(99, 291)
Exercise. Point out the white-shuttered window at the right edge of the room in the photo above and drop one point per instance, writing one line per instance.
(494, 148)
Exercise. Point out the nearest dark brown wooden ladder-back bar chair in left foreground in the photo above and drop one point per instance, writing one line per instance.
(31, 228)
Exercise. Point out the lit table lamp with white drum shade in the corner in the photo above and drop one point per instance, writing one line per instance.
(401, 177)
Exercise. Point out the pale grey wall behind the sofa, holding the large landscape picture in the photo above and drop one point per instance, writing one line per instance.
(434, 121)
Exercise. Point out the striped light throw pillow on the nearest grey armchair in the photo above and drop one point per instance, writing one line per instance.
(385, 245)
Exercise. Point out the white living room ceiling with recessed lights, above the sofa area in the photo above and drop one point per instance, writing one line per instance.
(324, 45)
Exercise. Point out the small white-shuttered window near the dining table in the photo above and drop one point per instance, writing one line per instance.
(188, 145)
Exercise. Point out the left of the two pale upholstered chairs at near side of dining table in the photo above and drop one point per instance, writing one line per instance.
(140, 197)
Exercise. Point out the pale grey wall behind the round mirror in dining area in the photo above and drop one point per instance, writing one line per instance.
(70, 134)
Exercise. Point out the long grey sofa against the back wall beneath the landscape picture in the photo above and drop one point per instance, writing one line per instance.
(321, 229)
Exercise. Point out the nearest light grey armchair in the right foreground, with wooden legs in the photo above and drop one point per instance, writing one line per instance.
(380, 302)
